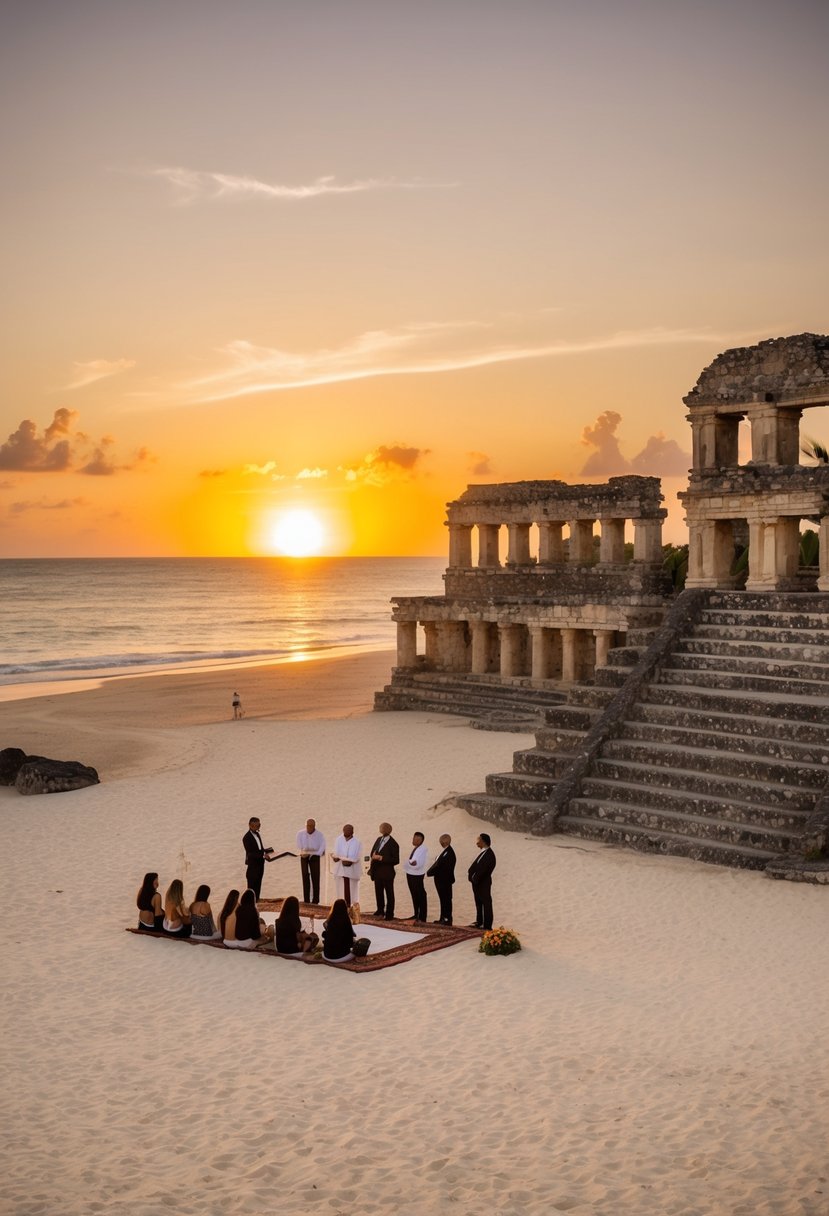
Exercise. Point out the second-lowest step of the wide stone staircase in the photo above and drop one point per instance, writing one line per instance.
(755, 836)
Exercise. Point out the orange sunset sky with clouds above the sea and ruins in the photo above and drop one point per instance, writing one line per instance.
(347, 257)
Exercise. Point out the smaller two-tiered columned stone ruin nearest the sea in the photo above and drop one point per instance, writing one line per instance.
(509, 635)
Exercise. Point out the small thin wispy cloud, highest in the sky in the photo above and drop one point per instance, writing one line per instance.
(199, 185)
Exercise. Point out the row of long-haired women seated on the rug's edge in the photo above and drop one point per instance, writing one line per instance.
(240, 925)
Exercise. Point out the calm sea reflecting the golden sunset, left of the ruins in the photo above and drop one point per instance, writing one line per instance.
(60, 618)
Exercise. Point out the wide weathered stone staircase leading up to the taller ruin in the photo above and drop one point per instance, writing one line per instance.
(723, 756)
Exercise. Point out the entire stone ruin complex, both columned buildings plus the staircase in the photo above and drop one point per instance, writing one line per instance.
(692, 724)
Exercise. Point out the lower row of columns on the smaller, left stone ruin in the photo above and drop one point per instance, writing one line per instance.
(510, 650)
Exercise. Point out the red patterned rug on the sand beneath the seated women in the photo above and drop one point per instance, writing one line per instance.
(431, 937)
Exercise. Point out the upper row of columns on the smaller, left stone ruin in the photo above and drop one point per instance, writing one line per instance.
(647, 543)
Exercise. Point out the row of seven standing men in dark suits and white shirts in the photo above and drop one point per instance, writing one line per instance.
(382, 862)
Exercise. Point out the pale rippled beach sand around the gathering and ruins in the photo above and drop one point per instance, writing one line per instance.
(657, 1049)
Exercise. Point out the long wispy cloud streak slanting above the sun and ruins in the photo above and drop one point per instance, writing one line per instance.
(414, 350)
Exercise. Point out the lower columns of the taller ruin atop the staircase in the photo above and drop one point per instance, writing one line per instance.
(774, 553)
